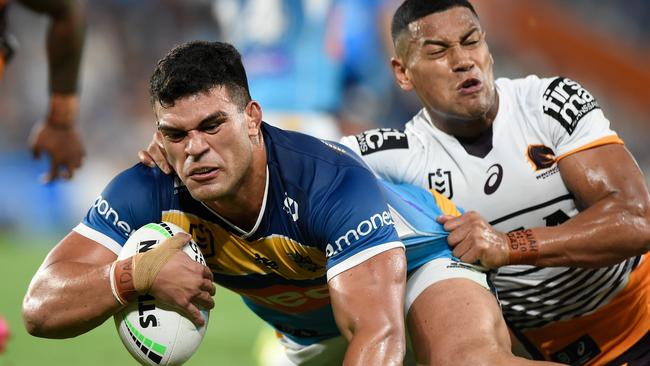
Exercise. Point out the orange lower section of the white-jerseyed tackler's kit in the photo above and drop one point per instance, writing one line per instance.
(615, 327)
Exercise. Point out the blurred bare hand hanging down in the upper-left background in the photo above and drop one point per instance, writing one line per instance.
(59, 138)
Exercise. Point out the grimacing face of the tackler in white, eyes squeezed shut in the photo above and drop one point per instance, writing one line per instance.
(446, 60)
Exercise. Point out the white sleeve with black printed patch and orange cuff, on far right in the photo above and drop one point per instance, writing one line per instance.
(572, 116)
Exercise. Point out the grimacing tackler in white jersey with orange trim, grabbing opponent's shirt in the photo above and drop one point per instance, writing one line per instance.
(561, 206)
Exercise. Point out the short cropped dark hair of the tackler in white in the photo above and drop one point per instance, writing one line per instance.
(412, 10)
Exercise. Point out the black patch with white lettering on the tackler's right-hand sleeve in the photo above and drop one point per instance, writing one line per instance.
(567, 102)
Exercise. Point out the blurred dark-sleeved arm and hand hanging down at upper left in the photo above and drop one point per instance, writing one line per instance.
(58, 135)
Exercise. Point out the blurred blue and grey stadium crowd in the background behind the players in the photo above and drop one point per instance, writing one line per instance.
(320, 66)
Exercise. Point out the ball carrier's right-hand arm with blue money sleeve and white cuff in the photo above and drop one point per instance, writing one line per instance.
(366, 266)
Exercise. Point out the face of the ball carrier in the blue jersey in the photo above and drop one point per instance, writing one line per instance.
(209, 142)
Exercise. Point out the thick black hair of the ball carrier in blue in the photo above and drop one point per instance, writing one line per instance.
(196, 67)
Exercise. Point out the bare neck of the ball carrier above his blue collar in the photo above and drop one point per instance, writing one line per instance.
(243, 207)
